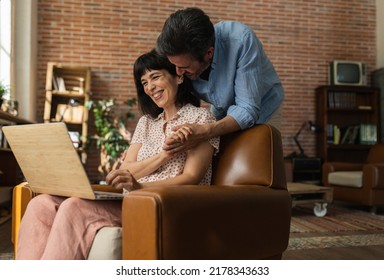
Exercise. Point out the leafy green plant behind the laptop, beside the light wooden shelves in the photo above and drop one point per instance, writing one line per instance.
(113, 138)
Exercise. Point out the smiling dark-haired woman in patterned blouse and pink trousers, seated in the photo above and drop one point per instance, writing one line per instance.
(64, 228)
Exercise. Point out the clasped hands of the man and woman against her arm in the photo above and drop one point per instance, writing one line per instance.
(185, 137)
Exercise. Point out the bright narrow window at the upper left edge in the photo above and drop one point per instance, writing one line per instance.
(5, 43)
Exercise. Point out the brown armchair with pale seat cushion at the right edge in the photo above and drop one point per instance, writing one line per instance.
(360, 183)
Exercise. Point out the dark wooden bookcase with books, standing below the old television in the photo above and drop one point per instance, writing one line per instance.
(350, 122)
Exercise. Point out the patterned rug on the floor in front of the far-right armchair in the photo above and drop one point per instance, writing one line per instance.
(343, 226)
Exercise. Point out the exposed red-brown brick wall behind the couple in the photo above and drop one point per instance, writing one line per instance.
(300, 37)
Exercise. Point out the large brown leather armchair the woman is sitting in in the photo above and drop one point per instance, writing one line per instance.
(245, 214)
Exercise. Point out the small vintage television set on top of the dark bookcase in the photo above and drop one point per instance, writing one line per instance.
(349, 73)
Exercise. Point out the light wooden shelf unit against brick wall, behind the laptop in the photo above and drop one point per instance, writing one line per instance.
(67, 91)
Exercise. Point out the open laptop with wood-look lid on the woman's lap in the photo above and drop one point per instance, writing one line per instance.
(50, 162)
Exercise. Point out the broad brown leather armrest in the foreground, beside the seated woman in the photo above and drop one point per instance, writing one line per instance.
(206, 222)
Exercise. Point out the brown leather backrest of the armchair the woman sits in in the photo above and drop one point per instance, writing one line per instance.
(251, 157)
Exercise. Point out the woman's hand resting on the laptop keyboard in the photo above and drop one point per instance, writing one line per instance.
(122, 179)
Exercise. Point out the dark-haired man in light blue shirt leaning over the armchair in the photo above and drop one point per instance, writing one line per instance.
(228, 68)
